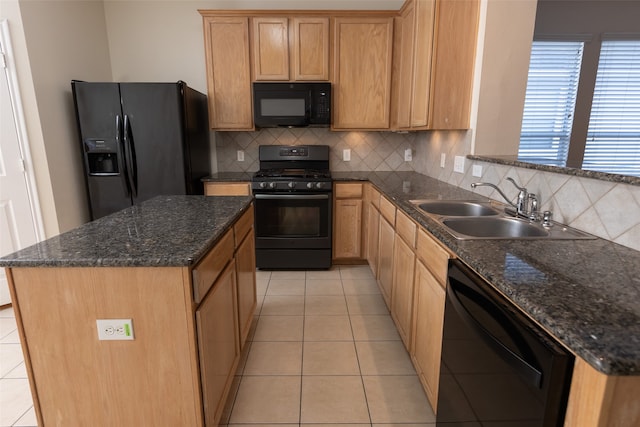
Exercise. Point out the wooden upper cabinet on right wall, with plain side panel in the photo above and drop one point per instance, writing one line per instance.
(434, 55)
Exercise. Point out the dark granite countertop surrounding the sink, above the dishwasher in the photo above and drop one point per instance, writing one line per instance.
(585, 292)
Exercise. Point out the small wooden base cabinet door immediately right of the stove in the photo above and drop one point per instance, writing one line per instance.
(348, 227)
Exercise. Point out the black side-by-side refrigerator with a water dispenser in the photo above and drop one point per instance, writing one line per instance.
(140, 140)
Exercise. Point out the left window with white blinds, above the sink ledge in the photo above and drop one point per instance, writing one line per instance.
(550, 101)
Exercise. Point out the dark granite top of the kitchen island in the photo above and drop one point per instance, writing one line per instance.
(165, 231)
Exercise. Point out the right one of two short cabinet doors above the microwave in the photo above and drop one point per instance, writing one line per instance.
(310, 48)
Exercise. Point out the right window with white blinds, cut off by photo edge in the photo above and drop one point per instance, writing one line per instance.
(613, 136)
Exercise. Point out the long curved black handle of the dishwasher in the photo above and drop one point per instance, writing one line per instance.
(524, 368)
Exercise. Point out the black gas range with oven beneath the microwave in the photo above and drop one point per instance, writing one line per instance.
(293, 215)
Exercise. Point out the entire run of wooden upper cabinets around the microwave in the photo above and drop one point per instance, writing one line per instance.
(427, 48)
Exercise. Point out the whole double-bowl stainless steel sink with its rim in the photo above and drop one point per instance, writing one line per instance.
(467, 220)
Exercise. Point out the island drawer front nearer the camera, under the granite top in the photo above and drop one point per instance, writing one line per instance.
(209, 268)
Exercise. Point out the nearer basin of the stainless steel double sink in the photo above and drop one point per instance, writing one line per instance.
(494, 228)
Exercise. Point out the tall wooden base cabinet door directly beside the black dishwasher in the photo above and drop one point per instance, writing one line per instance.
(427, 330)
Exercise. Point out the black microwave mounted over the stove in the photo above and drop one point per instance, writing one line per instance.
(291, 104)
